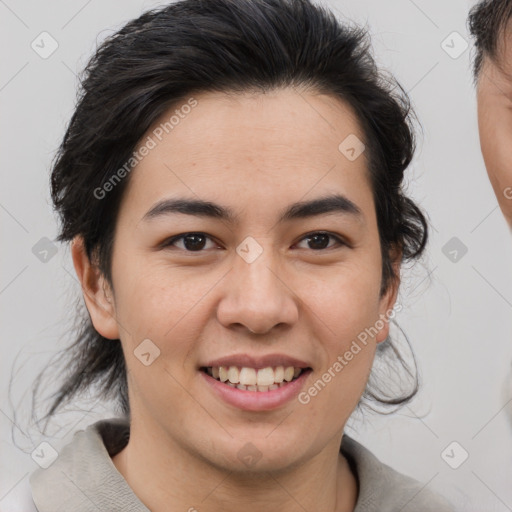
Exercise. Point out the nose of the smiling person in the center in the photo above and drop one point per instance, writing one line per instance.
(257, 296)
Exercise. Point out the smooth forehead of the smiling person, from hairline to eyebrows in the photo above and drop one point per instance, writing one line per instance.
(283, 145)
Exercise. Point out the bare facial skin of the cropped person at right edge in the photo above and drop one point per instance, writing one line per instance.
(494, 100)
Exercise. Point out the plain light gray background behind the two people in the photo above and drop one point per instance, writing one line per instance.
(456, 314)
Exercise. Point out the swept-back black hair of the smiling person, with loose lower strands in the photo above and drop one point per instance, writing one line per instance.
(193, 46)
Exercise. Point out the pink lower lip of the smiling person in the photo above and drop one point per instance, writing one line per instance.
(257, 400)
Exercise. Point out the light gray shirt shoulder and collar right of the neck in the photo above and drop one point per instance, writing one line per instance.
(383, 489)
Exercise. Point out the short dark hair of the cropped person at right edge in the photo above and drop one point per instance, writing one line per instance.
(488, 21)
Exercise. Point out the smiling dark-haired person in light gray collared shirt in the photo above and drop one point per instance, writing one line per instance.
(231, 185)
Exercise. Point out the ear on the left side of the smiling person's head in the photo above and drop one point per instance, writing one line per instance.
(98, 295)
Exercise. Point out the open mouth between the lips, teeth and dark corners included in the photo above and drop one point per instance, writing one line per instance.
(259, 380)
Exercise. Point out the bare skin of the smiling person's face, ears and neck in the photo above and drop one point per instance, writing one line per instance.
(257, 154)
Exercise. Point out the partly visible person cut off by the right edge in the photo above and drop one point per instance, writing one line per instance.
(489, 24)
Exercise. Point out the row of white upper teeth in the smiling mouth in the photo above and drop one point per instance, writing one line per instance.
(252, 377)
